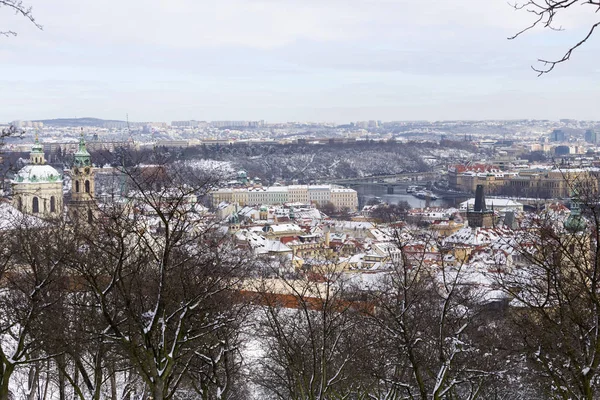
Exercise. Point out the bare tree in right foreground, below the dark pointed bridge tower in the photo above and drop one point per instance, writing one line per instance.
(429, 319)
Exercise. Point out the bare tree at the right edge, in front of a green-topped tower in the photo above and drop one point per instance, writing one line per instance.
(557, 309)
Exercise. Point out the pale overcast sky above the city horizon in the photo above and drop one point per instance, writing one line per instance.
(292, 60)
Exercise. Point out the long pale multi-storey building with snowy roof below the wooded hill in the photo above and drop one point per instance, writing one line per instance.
(341, 198)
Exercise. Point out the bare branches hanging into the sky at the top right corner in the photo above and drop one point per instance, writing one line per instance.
(545, 12)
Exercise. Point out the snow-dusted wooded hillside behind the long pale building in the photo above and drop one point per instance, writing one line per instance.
(310, 163)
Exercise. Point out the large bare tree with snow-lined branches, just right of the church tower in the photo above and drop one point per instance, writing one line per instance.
(162, 279)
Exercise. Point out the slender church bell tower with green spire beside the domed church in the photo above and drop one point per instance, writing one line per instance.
(82, 183)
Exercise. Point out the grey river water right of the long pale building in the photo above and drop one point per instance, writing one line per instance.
(368, 191)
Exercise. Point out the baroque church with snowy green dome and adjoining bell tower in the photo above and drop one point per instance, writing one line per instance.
(38, 188)
